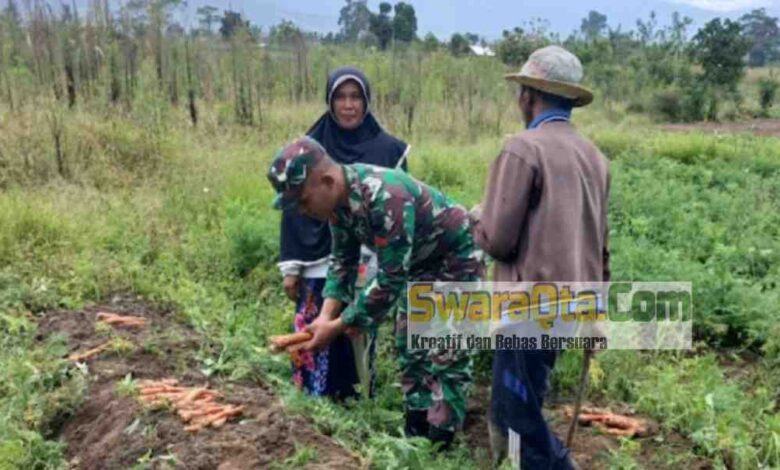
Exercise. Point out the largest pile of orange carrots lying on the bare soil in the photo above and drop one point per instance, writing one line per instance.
(194, 405)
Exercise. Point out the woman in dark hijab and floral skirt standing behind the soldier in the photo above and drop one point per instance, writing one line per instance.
(350, 134)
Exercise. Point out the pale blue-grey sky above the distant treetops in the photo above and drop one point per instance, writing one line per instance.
(485, 17)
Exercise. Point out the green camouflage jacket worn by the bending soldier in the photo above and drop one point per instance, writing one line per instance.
(417, 232)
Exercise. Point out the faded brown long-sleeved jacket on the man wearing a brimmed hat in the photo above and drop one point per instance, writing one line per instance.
(544, 214)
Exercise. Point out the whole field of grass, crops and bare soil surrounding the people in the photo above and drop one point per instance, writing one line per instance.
(133, 207)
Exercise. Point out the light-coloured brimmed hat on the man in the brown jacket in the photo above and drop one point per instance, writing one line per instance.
(554, 70)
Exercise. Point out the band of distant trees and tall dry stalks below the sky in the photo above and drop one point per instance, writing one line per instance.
(140, 49)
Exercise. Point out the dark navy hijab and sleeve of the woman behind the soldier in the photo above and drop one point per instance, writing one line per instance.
(306, 239)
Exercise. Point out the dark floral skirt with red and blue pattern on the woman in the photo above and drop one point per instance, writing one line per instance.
(330, 372)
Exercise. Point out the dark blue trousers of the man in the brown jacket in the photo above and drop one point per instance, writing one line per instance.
(517, 426)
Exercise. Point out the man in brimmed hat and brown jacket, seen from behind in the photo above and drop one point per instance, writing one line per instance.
(543, 218)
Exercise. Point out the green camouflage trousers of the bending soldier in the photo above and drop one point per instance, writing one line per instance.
(437, 380)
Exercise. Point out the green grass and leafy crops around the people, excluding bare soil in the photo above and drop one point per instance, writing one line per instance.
(182, 217)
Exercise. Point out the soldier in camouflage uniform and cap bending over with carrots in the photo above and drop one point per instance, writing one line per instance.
(418, 234)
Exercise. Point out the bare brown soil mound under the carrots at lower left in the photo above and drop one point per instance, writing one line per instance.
(112, 430)
